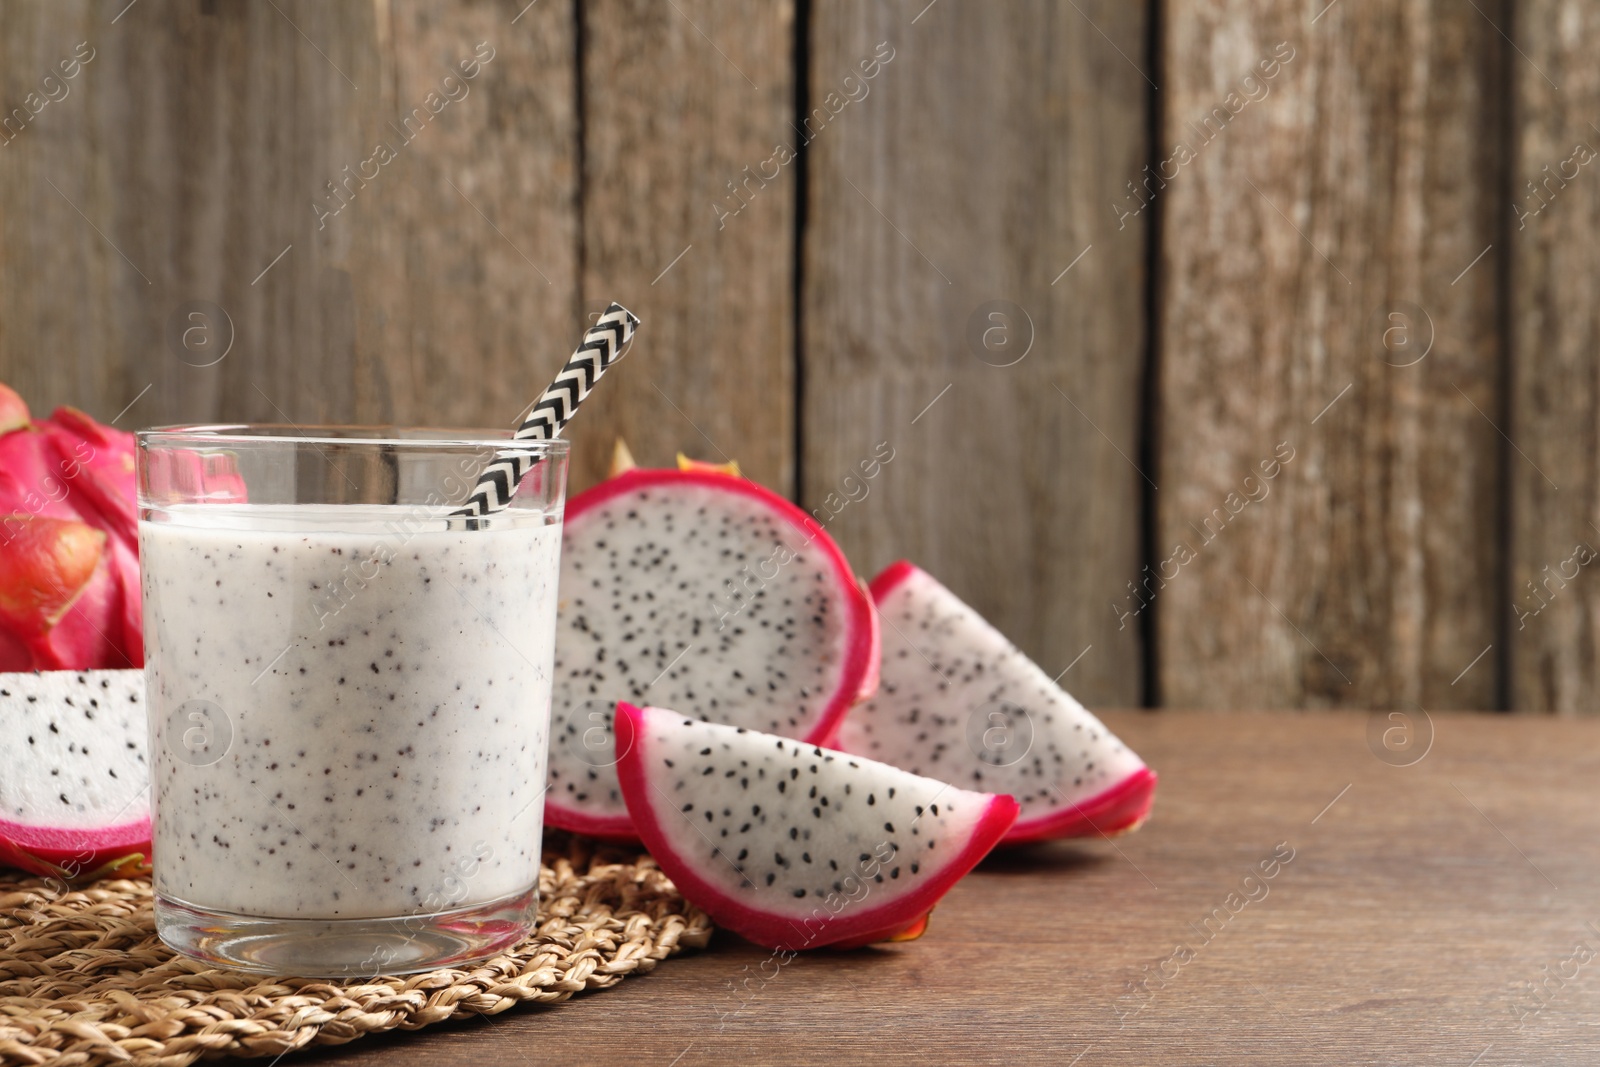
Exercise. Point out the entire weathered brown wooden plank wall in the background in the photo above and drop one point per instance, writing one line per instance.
(1231, 353)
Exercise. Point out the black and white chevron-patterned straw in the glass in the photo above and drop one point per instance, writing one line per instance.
(602, 346)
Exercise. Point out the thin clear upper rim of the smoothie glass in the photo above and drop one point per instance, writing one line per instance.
(215, 434)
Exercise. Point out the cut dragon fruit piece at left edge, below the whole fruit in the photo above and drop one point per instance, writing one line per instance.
(74, 780)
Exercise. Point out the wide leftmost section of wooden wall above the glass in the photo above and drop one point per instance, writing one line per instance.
(204, 142)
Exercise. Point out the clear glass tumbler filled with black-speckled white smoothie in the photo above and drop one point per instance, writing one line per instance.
(350, 693)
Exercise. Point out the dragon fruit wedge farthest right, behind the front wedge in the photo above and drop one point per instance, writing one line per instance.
(962, 703)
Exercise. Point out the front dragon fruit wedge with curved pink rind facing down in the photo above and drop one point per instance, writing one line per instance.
(791, 845)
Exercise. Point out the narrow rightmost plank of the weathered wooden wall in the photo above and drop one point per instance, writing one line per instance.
(1554, 343)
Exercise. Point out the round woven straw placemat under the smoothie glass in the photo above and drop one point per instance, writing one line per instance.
(86, 981)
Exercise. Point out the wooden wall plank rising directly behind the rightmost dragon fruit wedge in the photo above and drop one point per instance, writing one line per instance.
(937, 218)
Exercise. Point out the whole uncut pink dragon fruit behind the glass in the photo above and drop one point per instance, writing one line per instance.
(70, 546)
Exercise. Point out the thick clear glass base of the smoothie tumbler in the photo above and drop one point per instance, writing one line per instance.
(346, 948)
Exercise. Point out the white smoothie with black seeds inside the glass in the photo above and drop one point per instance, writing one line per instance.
(378, 706)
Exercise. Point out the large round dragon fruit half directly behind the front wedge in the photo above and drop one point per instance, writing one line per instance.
(705, 593)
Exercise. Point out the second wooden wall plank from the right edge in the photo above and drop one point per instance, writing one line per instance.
(1332, 214)
